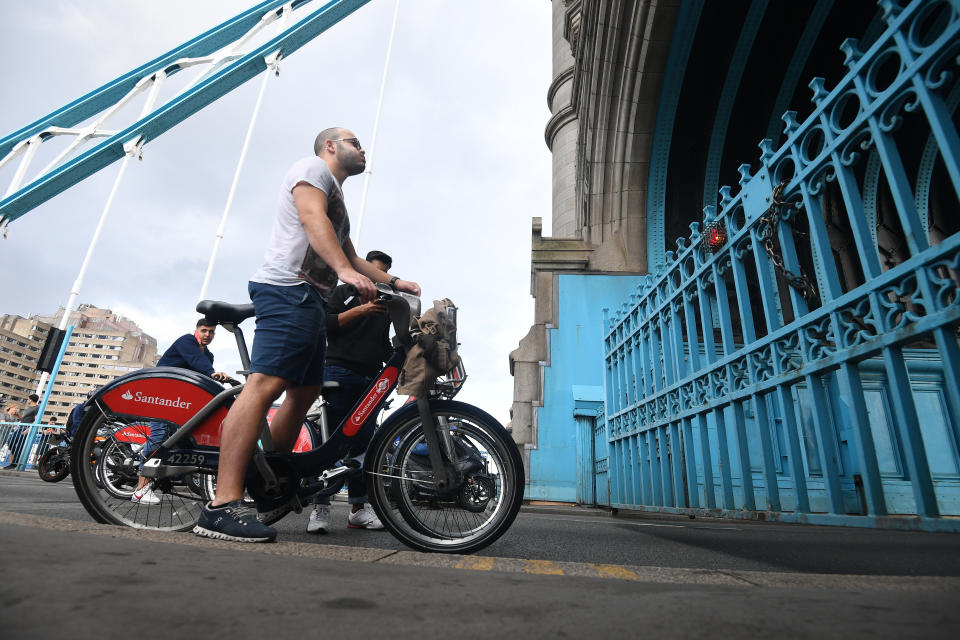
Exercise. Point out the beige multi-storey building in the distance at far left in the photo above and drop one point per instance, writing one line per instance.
(103, 346)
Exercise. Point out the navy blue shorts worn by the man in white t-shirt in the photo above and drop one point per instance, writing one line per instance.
(291, 337)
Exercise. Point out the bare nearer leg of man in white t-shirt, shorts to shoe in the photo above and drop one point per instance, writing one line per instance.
(240, 432)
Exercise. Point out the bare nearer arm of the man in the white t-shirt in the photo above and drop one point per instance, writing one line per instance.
(311, 205)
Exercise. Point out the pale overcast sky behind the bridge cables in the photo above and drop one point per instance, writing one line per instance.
(460, 166)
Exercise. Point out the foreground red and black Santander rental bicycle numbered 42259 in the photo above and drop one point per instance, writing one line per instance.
(442, 475)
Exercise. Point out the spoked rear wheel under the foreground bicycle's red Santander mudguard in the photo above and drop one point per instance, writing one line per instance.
(104, 463)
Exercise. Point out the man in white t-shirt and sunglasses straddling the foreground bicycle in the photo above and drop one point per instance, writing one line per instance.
(308, 251)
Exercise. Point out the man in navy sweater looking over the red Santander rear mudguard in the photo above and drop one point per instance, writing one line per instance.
(188, 352)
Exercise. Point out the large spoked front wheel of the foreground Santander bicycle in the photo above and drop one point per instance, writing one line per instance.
(465, 518)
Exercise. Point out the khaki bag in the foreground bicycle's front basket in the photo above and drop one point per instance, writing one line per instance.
(435, 352)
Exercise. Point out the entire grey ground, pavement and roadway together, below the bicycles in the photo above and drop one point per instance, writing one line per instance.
(558, 572)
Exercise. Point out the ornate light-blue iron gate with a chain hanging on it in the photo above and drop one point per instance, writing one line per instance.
(810, 414)
